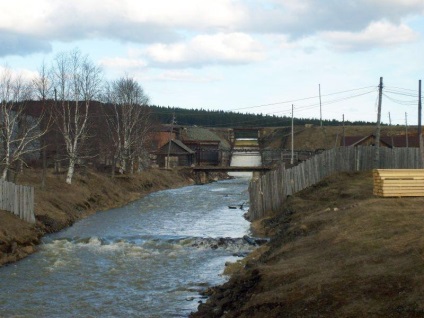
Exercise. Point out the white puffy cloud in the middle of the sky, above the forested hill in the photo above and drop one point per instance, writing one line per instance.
(233, 48)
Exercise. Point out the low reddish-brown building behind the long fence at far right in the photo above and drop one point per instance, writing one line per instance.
(385, 141)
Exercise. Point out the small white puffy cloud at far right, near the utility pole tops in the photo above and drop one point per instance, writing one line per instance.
(377, 34)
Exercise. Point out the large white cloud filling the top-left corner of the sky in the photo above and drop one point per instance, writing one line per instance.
(46, 18)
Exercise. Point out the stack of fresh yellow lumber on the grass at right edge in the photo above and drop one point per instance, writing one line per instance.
(399, 182)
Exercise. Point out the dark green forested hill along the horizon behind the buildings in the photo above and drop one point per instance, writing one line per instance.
(209, 118)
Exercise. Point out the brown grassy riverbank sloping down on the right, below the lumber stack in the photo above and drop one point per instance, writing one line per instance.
(336, 251)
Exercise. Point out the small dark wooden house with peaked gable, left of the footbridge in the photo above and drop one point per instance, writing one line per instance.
(179, 155)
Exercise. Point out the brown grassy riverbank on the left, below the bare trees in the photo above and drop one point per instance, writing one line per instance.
(59, 205)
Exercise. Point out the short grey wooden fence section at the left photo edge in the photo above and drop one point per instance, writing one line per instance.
(17, 199)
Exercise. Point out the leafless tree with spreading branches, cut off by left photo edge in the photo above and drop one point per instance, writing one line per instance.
(19, 130)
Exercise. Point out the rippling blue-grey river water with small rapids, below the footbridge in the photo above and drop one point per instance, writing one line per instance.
(150, 258)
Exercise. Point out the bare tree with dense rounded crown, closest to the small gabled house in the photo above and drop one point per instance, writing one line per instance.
(129, 121)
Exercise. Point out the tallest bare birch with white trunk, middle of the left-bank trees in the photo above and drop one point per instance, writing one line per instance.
(77, 81)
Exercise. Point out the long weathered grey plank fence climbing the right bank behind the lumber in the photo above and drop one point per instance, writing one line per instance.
(268, 193)
